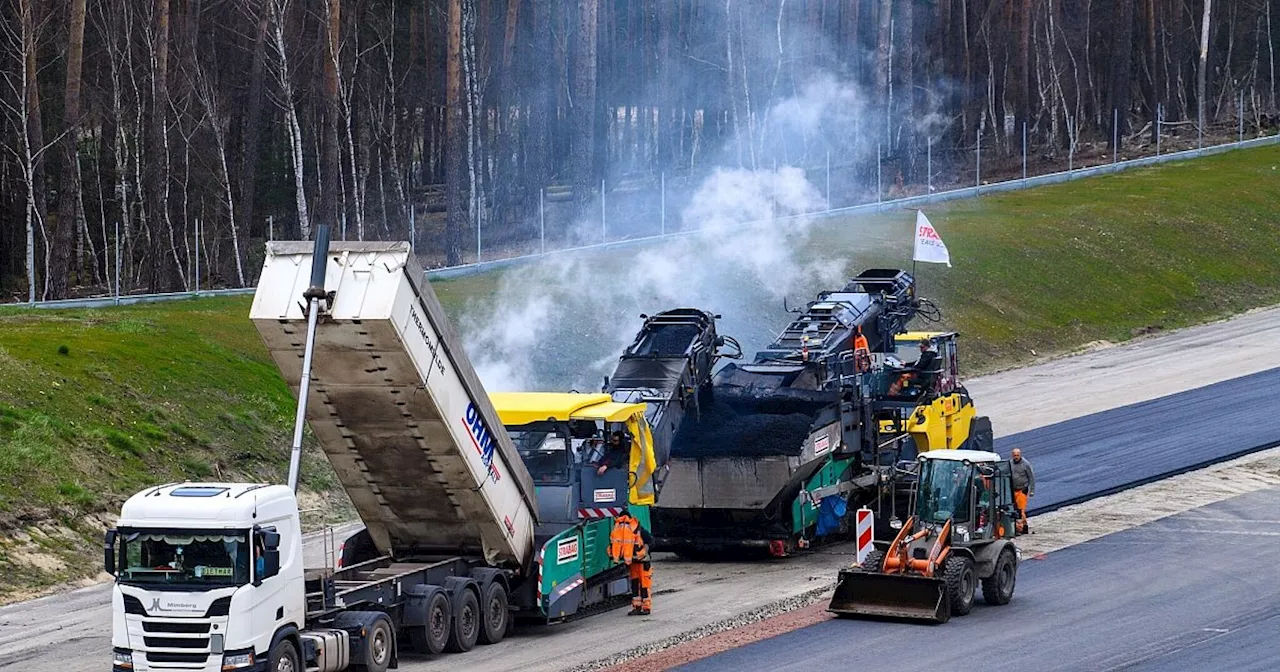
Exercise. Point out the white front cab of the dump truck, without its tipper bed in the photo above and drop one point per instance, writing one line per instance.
(209, 577)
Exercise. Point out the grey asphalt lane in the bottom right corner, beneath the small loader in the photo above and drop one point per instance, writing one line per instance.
(1200, 591)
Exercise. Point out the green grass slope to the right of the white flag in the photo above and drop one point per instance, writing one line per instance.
(1109, 259)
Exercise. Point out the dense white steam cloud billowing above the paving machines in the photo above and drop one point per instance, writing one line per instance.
(565, 321)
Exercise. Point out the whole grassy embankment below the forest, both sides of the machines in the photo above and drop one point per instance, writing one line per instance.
(95, 405)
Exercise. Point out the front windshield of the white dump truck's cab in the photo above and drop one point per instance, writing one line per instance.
(185, 557)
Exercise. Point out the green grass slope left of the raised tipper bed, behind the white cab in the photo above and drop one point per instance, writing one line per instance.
(99, 404)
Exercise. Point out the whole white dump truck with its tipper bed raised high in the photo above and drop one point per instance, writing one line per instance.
(211, 577)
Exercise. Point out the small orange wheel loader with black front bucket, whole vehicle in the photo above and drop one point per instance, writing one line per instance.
(961, 534)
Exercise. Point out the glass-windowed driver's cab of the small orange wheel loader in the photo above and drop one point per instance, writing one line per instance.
(973, 490)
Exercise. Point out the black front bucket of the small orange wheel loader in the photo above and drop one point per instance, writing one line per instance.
(890, 596)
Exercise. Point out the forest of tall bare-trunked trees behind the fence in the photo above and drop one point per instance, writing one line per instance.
(139, 122)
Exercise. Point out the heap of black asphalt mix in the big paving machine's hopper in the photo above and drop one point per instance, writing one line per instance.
(723, 432)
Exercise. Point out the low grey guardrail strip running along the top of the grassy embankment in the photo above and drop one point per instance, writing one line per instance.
(880, 207)
